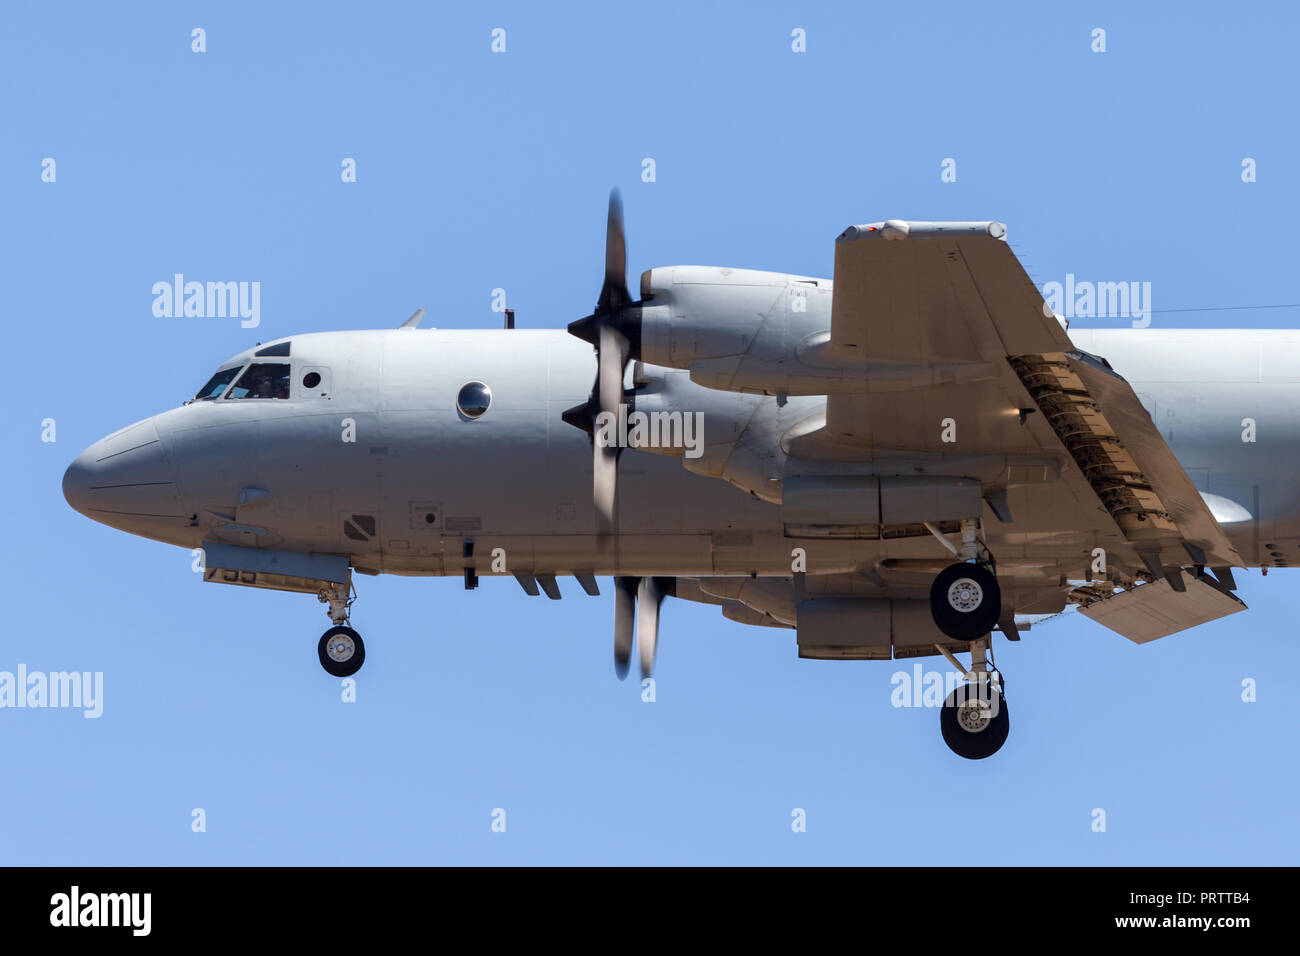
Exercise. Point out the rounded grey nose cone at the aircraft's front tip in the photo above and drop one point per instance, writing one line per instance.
(124, 477)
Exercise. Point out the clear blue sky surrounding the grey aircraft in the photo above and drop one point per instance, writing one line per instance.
(480, 171)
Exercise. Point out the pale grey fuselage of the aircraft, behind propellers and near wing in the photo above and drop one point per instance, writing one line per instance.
(379, 465)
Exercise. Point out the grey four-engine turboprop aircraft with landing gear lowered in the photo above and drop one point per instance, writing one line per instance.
(895, 465)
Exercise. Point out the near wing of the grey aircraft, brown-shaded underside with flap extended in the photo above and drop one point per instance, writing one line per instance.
(1012, 390)
